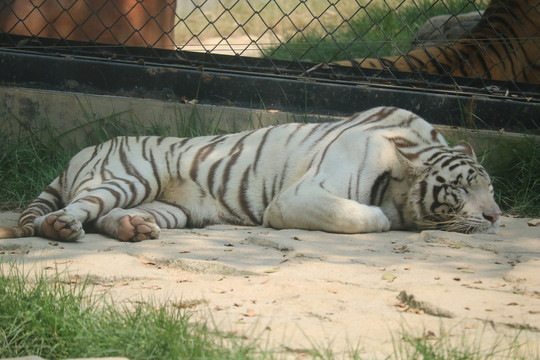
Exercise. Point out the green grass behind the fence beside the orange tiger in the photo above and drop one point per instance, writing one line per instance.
(373, 31)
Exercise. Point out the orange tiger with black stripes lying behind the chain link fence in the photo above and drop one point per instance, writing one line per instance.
(504, 45)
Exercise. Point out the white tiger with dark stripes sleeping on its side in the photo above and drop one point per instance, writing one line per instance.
(382, 169)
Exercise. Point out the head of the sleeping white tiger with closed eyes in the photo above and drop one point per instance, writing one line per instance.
(453, 192)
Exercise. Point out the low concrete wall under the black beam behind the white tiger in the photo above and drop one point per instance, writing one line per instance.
(85, 118)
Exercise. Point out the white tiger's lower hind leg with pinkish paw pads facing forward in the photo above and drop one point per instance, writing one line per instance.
(142, 222)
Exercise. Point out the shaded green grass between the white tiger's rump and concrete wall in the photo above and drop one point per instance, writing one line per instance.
(33, 155)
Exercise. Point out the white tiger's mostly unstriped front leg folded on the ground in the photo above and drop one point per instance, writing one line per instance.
(309, 206)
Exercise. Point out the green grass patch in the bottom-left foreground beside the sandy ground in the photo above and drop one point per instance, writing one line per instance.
(45, 317)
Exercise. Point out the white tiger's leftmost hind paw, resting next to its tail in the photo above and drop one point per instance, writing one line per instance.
(61, 226)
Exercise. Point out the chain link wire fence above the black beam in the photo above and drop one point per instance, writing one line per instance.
(488, 46)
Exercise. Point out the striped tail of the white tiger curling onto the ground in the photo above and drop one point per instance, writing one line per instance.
(48, 201)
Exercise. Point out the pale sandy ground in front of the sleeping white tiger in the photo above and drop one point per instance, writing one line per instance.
(295, 290)
